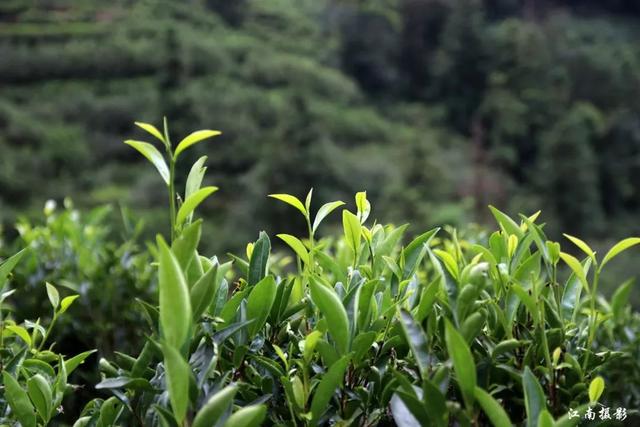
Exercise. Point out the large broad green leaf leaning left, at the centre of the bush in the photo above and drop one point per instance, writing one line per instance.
(334, 312)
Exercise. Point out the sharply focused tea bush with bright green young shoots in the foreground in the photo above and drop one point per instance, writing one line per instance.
(502, 329)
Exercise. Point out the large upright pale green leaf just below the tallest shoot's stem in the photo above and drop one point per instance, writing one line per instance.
(175, 303)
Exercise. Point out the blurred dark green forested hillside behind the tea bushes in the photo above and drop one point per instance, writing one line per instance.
(435, 107)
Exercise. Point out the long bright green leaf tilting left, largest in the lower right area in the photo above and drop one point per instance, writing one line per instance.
(463, 363)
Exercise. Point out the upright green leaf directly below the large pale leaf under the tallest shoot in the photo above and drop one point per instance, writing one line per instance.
(178, 373)
